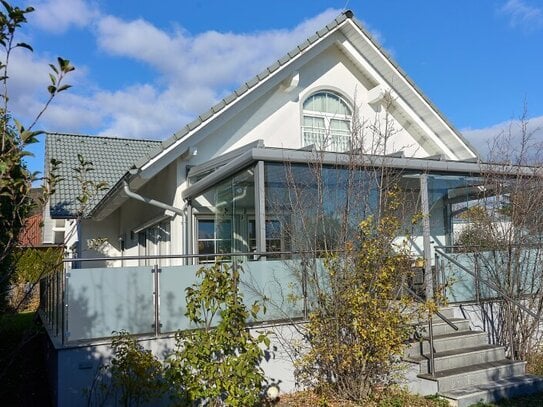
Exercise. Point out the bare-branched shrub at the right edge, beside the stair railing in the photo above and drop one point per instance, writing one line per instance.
(503, 240)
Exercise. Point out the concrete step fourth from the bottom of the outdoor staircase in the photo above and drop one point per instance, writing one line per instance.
(445, 342)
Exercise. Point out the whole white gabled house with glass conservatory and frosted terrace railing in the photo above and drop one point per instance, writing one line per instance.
(223, 185)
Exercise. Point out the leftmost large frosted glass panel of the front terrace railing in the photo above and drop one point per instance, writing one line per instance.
(103, 300)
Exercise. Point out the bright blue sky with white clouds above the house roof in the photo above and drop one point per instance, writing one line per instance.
(145, 69)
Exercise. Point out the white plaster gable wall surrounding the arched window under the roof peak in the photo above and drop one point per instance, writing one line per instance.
(275, 117)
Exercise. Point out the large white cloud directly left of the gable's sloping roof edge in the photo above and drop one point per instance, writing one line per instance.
(193, 71)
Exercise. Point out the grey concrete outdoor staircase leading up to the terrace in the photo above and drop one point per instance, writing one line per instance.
(467, 368)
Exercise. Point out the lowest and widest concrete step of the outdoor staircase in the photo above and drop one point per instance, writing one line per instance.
(494, 391)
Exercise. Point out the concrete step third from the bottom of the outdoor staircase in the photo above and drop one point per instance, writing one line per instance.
(461, 357)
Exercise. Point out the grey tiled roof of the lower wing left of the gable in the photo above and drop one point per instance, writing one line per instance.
(110, 157)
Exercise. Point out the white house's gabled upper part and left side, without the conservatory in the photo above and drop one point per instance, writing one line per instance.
(307, 98)
